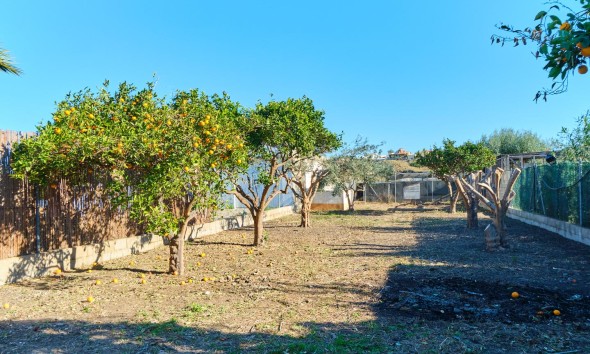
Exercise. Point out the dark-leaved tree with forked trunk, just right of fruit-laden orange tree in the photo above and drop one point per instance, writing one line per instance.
(279, 135)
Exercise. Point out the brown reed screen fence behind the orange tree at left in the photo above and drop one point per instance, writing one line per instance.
(67, 219)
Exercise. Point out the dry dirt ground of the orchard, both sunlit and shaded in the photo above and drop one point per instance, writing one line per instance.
(382, 279)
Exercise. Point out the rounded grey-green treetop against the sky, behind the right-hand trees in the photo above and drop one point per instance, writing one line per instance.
(510, 141)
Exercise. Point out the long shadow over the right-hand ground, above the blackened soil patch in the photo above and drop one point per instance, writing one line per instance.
(536, 257)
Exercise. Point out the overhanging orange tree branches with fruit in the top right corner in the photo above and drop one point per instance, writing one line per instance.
(562, 37)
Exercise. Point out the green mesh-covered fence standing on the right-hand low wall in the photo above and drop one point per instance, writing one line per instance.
(560, 191)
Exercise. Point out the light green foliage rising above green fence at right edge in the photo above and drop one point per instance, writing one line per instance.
(574, 144)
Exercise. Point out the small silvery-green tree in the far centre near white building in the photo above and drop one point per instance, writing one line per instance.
(355, 164)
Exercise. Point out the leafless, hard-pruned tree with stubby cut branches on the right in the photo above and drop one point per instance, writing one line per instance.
(497, 202)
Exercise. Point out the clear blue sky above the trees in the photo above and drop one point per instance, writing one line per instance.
(401, 72)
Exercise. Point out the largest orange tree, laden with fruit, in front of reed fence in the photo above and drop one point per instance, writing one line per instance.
(166, 161)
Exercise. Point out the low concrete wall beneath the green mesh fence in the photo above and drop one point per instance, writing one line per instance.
(565, 229)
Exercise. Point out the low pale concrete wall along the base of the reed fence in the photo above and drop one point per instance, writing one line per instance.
(37, 265)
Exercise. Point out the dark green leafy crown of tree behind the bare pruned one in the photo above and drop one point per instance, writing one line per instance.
(451, 160)
